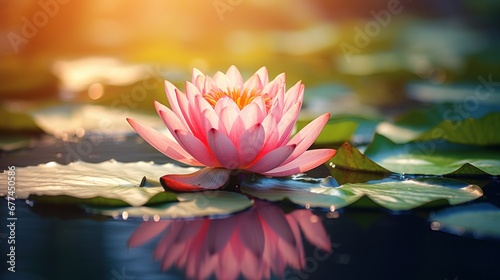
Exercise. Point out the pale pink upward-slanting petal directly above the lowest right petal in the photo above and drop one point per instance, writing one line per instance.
(306, 136)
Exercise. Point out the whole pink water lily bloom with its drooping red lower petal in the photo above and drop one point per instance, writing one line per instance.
(225, 124)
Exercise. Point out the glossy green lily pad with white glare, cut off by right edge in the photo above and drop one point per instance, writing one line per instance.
(436, 157)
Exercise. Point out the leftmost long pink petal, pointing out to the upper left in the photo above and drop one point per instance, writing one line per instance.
(163, 144)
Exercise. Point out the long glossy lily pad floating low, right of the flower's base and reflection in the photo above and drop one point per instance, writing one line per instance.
(390, 193)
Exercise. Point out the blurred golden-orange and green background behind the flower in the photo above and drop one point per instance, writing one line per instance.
(353, 56)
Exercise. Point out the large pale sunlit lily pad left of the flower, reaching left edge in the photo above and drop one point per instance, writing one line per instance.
(107, 183)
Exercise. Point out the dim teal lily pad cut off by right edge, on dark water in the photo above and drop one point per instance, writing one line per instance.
(478, 220)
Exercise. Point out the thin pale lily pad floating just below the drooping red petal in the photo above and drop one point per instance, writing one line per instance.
(190, 205)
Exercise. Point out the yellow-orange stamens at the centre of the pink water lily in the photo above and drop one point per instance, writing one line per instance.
(240, 97)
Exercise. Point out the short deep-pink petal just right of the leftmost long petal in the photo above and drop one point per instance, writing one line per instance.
(196, 148)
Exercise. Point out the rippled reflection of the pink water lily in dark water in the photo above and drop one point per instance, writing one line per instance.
(254, 243)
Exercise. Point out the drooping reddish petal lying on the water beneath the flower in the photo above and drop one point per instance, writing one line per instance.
(204, 179)
